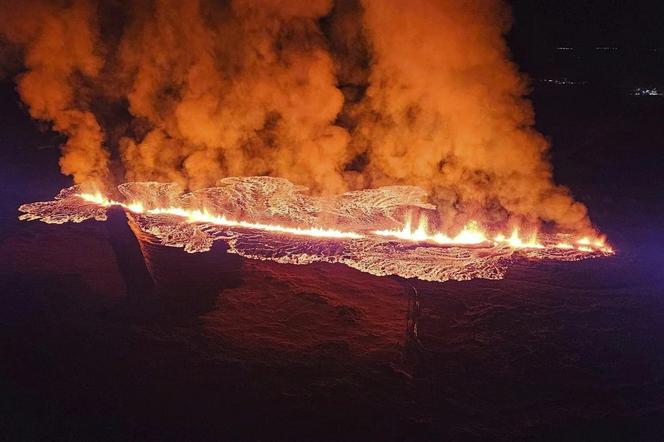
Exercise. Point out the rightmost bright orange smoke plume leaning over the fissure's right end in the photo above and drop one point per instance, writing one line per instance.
(445, 110)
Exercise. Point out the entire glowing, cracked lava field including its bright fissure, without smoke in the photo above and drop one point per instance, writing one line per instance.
(268, 218)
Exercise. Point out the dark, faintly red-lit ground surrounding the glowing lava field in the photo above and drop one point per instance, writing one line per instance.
(570, 351)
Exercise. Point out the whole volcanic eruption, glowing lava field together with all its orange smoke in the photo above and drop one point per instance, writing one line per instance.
(330, 96)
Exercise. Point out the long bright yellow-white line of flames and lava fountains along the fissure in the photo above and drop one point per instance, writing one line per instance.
(471, 234)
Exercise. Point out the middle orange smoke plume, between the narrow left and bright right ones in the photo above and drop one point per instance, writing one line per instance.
(245, 88)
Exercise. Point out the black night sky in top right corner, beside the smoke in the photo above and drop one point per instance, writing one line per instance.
(619, 43)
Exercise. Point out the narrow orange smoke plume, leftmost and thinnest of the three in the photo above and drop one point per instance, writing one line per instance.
(60, 44)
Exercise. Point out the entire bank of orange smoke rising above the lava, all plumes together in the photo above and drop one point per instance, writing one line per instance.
(332, 95)
